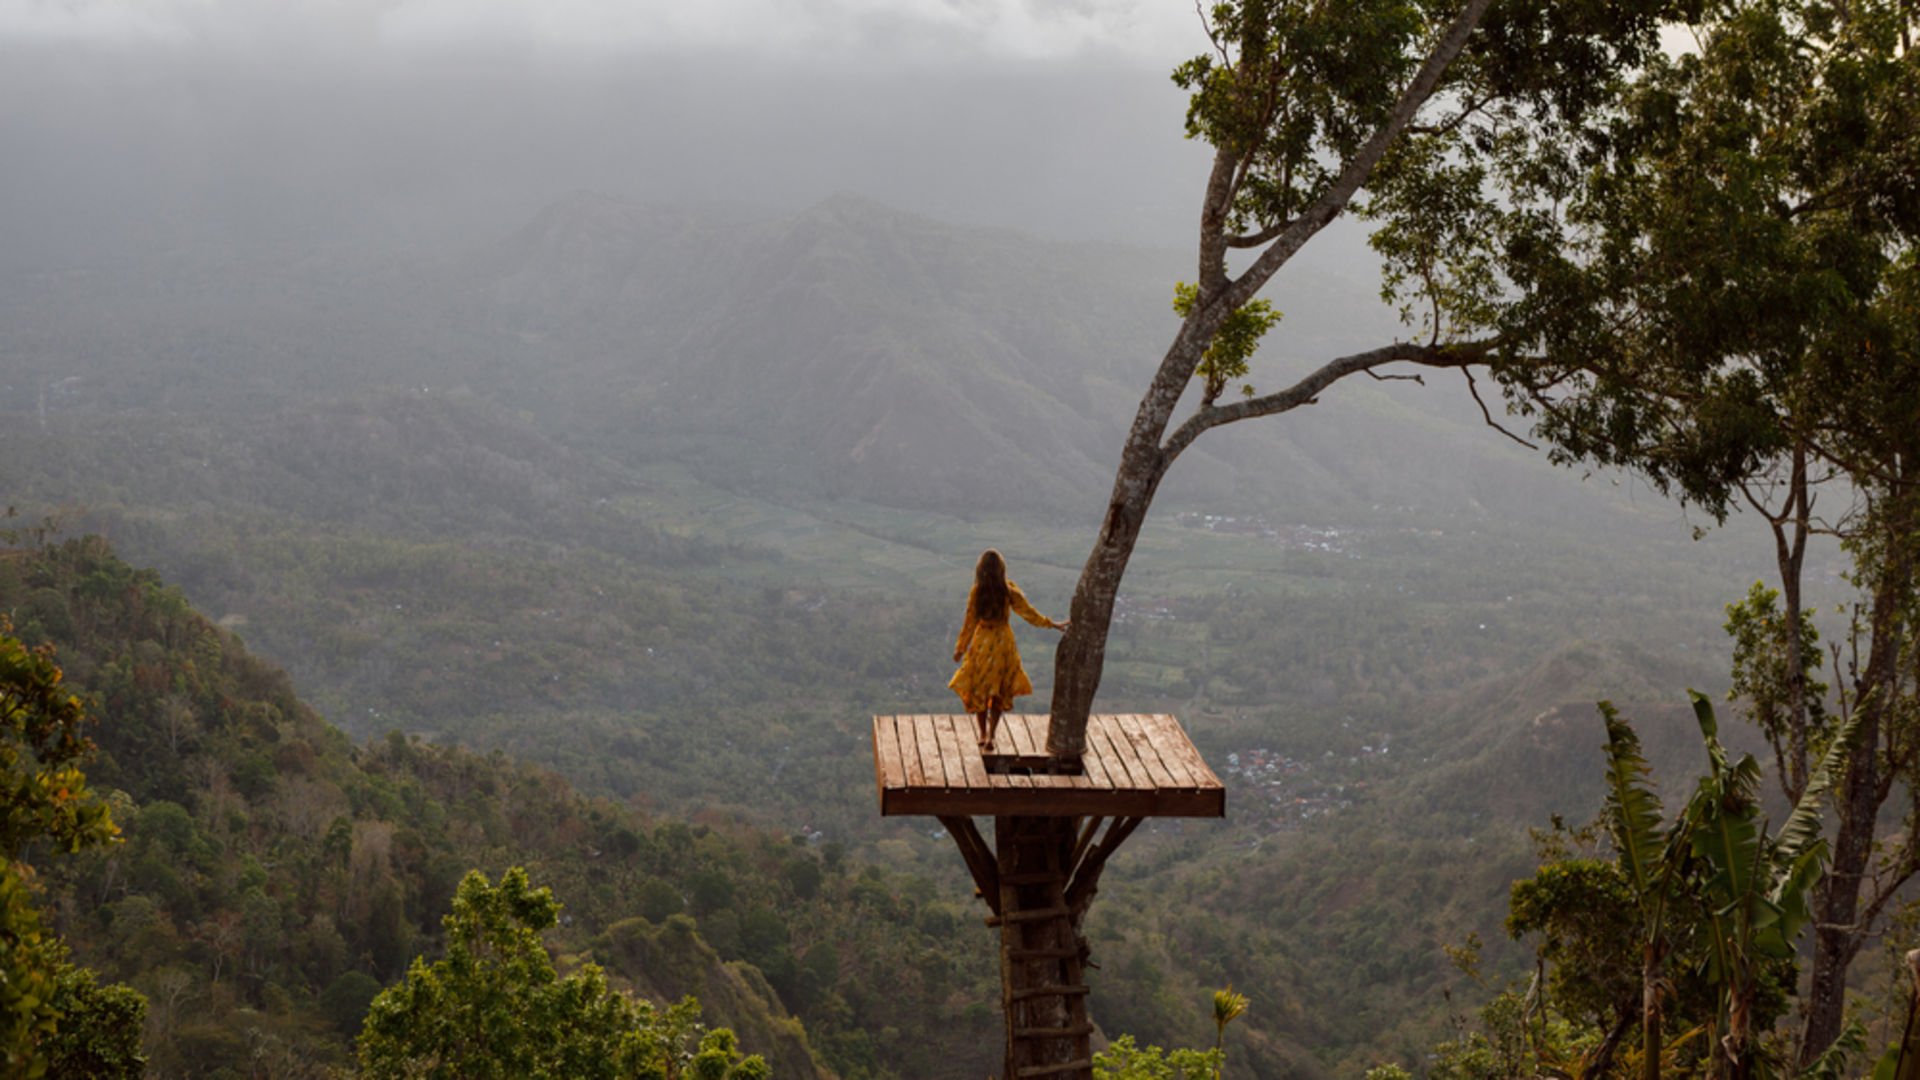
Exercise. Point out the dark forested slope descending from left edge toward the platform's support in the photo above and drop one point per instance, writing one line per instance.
(274, 875)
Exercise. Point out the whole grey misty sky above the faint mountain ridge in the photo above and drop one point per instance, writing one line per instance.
(139, 126)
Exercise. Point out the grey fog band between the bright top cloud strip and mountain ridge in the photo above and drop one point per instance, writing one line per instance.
(135, 149)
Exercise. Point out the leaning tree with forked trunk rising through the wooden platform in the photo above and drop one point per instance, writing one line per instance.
(1308, 105)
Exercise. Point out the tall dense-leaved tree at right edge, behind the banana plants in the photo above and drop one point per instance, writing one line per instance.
(1725, 297)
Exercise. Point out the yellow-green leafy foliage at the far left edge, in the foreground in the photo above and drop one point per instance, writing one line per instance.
(51, 1014)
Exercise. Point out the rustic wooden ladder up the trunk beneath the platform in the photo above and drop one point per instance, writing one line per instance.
(1042, 956)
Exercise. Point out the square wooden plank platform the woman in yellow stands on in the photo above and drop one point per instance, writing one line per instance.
(1136, 766)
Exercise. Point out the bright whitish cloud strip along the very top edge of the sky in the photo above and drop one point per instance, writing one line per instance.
(809, 30)
